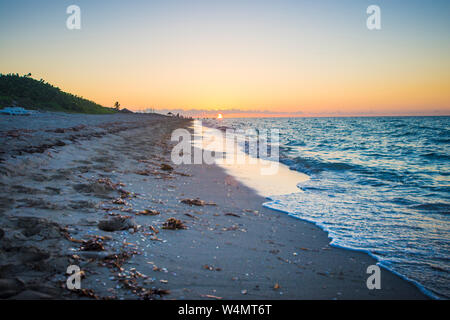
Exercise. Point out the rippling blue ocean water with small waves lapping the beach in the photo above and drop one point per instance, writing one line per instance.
(376, 184)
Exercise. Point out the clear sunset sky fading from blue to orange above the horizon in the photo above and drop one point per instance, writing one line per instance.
(246, 57)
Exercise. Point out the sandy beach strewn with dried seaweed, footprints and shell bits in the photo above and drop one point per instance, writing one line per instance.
(97, 192)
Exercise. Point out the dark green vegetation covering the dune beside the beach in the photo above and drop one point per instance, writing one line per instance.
(29, 93)
